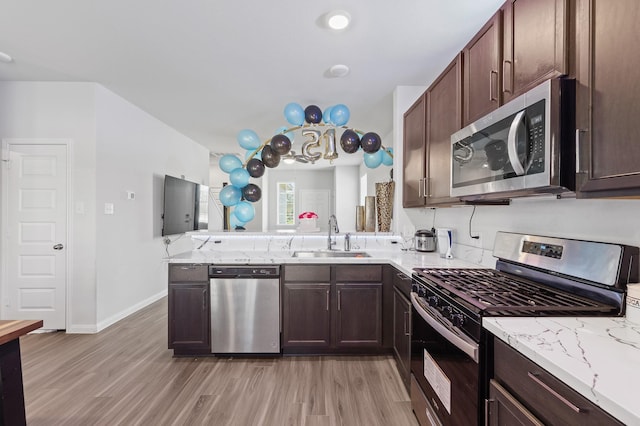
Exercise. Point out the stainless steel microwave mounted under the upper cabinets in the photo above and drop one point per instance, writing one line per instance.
(524, 147)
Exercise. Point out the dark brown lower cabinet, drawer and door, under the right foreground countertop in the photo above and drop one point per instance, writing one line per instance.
(540, 396)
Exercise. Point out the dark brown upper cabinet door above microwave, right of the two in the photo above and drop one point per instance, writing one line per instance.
(534, 44)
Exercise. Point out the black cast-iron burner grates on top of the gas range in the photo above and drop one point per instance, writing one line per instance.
(494, 292)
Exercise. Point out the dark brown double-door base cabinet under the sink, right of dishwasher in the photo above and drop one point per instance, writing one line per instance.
(332, 309)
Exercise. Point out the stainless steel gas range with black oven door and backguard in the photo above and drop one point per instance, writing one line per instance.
(534, 276)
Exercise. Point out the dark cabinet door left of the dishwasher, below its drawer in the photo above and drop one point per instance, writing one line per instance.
(189, 324)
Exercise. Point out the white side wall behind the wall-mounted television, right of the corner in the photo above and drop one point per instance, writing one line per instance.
(134, 151)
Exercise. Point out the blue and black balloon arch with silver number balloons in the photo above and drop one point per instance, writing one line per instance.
(241, 193)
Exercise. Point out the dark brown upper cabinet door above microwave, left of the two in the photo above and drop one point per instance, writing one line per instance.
(481, 62)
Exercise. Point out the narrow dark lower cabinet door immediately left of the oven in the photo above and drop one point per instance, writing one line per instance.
(402, 334)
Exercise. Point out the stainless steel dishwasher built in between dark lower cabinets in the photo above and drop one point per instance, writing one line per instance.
(245, 309)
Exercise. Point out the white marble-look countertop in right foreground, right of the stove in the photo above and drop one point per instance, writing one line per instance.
(598, 357)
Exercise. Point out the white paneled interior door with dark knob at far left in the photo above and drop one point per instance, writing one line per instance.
(35, 229)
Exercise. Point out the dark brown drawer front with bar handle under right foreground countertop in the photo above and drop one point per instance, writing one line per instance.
(548, 398)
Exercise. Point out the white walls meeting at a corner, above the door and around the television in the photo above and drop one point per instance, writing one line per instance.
(115, 261)
